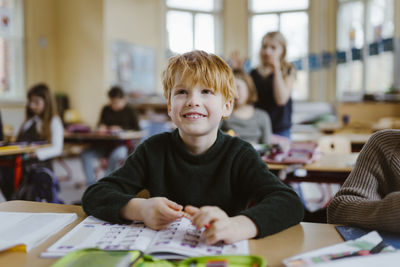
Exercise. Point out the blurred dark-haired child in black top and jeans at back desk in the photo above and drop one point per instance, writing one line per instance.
(116, 116)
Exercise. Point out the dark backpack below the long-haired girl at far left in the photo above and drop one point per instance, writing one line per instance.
(38, 183)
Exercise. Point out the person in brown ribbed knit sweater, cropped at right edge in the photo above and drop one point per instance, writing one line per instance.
(370, 196)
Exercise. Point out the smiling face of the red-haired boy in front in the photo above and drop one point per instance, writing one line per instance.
(197, 111)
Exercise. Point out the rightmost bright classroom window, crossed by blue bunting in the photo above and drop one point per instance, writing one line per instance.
(365, 30)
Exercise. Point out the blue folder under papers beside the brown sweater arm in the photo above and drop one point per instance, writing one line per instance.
(350, 233)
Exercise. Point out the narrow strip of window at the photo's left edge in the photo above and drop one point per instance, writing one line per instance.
(11, 51)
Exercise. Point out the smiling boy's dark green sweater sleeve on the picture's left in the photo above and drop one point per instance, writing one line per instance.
(108, 196)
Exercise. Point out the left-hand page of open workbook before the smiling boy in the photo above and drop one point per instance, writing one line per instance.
(96, 233)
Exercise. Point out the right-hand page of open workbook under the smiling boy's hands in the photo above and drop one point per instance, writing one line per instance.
(182, 238)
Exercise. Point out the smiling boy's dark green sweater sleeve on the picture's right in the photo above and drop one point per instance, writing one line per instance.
(277, 207)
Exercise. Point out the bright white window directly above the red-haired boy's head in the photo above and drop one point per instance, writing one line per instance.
(193, 24)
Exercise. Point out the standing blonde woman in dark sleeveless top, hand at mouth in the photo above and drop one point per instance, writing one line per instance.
(274, 79)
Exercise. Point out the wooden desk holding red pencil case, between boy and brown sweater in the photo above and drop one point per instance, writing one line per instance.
(330, 168)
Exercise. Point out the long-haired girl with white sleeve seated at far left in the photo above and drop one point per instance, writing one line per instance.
(42, 123)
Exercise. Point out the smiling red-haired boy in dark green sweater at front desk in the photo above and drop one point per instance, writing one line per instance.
(197, 169)
